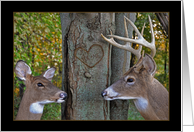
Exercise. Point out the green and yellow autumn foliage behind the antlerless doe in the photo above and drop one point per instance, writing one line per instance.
(38, 41)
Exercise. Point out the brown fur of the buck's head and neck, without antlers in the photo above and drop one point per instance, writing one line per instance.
(147, 87)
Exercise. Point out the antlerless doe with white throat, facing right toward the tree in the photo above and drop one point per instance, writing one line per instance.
(39, 91)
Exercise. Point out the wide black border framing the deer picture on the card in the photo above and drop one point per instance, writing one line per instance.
(7, 9)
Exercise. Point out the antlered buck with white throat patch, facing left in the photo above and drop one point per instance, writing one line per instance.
(150, 97)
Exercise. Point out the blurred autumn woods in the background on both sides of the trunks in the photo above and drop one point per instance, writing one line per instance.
(38, 41)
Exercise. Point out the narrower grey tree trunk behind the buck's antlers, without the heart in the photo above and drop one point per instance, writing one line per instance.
(120, 63)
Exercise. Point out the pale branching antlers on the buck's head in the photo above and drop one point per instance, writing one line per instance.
(141, 41)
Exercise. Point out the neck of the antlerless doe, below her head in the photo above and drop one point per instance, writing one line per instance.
(24, 109)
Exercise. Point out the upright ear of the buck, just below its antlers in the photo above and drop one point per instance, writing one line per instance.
(149, 64)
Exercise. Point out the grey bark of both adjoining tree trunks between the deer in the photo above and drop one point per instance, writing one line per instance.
(88, 64)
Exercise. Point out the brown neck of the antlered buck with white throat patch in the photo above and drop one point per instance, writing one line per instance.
(154, 103)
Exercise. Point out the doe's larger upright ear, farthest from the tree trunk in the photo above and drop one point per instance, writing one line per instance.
(22, 69)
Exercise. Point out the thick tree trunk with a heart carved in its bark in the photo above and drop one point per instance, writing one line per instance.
(86, 64)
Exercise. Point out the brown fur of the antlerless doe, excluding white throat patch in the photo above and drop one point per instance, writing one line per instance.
(33, 93)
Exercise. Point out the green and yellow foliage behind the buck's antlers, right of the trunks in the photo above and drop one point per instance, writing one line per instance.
(161, 43)
